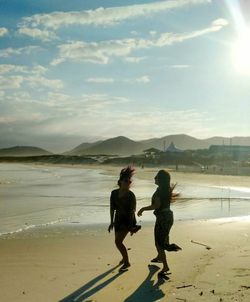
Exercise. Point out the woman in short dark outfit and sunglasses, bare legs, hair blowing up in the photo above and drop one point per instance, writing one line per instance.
(122, 213)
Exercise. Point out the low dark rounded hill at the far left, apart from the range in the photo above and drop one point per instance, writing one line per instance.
(23, 151)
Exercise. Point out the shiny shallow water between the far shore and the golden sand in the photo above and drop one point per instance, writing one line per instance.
(32, 195)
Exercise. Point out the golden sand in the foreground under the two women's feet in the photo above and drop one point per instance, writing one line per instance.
(75, 263)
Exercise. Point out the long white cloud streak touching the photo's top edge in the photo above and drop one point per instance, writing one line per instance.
(104, 16)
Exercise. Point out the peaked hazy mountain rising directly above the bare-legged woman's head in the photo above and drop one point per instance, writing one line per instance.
(114, 146)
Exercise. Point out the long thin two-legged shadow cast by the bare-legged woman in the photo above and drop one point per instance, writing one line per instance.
(85, 291)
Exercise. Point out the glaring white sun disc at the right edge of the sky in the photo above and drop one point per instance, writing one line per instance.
(241, 53)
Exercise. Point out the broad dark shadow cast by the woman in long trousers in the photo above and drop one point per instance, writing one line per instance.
(148, 291)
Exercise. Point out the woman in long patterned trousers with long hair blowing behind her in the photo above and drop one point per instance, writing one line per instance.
(161, 200)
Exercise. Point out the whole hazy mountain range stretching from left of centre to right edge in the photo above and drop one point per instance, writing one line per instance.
(124, 146)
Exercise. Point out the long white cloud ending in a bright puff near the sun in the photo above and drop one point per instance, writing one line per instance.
(102, 52)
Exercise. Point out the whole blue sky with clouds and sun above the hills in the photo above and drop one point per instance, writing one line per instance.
(83, 70)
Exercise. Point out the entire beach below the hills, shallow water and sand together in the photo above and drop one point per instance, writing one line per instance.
(63, 256)
